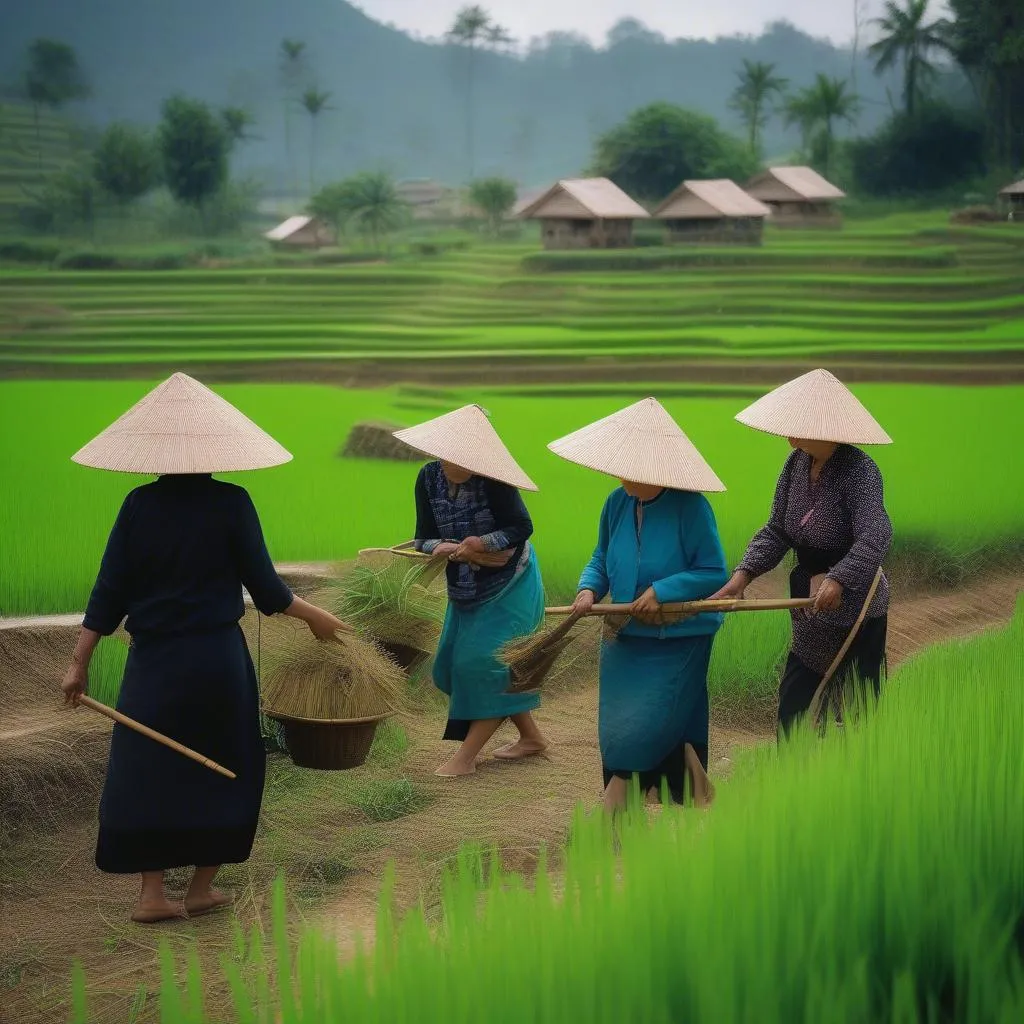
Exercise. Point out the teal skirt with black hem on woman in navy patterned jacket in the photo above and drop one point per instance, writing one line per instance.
(466, 667)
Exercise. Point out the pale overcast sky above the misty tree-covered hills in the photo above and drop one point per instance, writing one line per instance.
(526, 19)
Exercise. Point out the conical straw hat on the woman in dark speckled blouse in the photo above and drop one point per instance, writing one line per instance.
(816, 408)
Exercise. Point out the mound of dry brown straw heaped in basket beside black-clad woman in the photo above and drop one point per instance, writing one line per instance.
(350, 678)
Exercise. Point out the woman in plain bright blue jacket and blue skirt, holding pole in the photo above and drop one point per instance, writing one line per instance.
(658, 544)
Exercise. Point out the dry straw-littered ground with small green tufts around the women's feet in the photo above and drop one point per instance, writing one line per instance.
(320, 830)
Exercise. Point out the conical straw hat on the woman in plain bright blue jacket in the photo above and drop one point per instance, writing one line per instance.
(643, 444)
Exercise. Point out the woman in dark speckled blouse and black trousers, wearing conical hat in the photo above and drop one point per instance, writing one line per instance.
(830, 510)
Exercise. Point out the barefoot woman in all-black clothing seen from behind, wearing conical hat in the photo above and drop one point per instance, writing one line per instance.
(181, 551)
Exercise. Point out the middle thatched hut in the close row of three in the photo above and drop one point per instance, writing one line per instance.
(716, 211)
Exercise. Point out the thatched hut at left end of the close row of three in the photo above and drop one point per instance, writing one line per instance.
(584, 214)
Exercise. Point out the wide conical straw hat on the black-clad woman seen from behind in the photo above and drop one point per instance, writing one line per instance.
(183, 428)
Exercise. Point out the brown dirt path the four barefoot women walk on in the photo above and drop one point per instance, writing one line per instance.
(522, 806)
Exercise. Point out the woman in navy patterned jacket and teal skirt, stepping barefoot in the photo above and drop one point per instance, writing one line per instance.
(470, 511)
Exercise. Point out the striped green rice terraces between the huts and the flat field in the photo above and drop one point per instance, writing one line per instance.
(889, 298)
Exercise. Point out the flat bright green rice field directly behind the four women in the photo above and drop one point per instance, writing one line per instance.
(323, 507)
